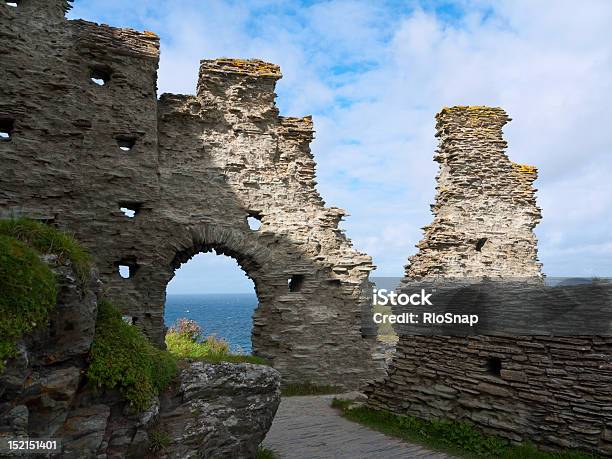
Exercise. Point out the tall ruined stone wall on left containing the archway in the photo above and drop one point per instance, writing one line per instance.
(197, 168)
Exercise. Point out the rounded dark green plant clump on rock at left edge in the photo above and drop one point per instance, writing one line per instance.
(29, 293)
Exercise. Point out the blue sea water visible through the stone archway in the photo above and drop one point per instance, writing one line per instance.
(226, 315)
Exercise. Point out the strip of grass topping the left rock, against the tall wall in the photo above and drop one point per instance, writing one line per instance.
(47, 239)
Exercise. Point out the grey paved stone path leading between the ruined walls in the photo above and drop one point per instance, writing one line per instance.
(309, 428)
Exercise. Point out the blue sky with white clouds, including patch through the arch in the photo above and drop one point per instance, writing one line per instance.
(373, 74)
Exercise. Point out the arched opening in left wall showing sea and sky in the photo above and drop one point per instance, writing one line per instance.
(211, 287)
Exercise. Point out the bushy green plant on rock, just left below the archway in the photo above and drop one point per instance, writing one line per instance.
(122, 358)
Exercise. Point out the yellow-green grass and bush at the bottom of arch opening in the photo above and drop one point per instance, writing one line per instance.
(185, 341)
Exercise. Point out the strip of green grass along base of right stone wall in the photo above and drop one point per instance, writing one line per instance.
(458, 438)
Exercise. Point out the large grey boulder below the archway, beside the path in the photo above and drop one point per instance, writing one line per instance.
(218, 410)
